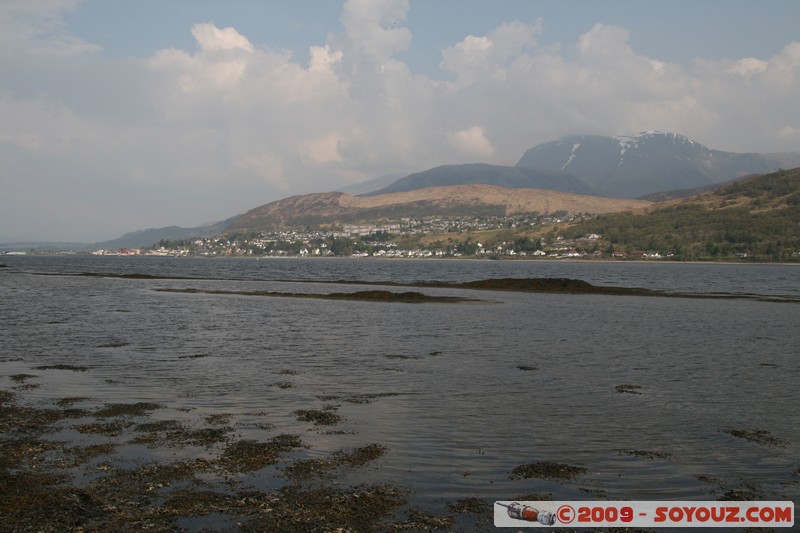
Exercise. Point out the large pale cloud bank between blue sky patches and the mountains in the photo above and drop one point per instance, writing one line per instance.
(185, 136)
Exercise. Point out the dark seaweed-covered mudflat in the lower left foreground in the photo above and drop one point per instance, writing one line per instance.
(41, 492)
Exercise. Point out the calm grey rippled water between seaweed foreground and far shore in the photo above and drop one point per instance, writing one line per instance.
(445, 392)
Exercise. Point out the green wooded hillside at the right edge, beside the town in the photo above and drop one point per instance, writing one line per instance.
(756, 218)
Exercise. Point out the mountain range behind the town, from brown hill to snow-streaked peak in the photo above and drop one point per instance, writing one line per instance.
(577, 173)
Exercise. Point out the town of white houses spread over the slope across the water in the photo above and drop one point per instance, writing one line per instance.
(529, 236)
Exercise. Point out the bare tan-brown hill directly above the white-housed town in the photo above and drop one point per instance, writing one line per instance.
(458, 200)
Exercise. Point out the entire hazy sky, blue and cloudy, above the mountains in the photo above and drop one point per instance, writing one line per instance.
(120, 115)
